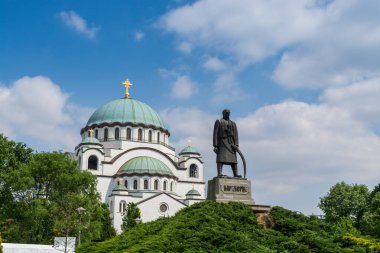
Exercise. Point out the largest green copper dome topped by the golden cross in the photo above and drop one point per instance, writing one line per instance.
(125, 110)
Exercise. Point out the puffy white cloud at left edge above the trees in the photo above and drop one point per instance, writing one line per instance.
(35, 108)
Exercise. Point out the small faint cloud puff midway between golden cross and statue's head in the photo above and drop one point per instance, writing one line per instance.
(184, 88)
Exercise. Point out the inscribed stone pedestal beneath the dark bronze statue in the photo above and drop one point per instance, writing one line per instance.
(227, 189)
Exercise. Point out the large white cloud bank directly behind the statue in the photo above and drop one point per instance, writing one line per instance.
(291, 148)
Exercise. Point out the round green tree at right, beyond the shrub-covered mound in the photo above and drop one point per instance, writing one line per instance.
(344, 200)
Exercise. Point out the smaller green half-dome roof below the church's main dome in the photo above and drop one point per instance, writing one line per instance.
(145, 165)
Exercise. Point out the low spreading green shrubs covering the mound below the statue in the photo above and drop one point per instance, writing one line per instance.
(218, 227)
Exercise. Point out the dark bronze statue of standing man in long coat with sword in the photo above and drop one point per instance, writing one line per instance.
(226, 143)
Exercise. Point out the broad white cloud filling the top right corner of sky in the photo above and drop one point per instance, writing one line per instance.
(320, 45)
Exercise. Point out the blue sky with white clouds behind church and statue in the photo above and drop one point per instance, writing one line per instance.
(302, 80)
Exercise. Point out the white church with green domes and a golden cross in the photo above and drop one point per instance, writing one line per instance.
(125, 144)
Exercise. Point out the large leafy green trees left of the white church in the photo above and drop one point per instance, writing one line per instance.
(41, 193)
